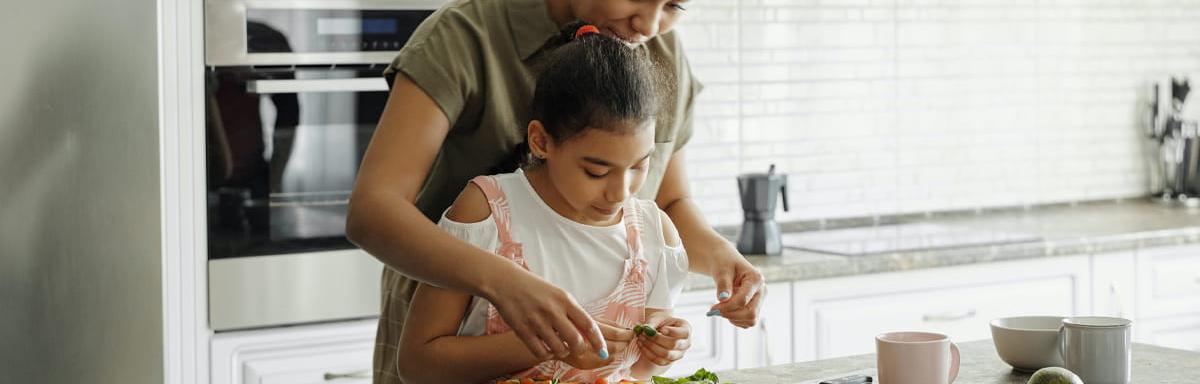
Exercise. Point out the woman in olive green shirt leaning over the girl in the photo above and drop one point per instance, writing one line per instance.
(461, 93)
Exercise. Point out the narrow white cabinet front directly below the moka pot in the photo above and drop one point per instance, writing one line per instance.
(771, 341)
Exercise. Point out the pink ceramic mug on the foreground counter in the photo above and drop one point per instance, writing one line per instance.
(916, 358)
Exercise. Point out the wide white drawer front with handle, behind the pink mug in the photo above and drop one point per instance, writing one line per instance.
(839, 317)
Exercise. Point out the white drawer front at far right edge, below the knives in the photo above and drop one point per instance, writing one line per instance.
(1169, 281)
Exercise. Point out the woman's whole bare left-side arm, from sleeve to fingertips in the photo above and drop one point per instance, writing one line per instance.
(385, 223)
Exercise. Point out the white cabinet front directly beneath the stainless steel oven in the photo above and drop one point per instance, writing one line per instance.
(328, 353)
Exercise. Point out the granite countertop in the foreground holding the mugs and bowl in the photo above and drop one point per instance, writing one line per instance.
(980, 365)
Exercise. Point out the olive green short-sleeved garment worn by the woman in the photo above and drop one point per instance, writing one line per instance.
(477, 59)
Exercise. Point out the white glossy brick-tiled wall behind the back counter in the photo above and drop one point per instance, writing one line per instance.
(879, 107)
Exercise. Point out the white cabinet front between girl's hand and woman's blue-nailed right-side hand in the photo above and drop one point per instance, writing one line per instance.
(713, 345)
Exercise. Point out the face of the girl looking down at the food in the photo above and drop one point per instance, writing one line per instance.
(595, 173)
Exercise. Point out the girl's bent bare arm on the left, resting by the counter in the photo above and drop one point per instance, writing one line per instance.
(431, 352)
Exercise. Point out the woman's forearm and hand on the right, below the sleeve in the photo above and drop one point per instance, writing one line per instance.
(740, 285)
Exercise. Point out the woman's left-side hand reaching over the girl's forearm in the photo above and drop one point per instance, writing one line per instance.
(545, 317)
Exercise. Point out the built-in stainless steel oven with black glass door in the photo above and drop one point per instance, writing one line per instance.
(295, 91)
